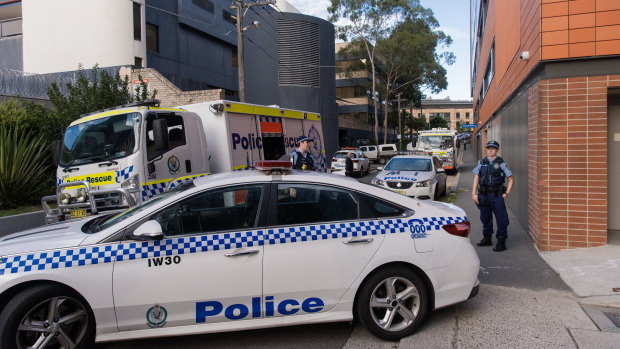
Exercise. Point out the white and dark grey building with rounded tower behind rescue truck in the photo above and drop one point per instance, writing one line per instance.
(289, 56)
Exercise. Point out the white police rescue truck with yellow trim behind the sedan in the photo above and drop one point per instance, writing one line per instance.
(117, 158)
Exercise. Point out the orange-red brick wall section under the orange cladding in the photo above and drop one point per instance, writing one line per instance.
(568, 172)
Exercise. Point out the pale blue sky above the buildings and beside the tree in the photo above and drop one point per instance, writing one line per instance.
(453, 18)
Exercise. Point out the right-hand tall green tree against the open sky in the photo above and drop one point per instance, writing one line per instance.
(409, 55)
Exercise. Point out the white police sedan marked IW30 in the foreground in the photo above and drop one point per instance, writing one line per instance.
(237, 251)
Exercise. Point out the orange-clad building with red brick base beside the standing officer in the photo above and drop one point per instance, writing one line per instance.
(546, 85)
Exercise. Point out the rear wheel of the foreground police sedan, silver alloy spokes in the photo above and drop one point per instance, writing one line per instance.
(392, 303)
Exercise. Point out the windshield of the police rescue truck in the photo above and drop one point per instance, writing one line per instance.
(101, 139)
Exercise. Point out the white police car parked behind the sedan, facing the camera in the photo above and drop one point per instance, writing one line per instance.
(419, 176)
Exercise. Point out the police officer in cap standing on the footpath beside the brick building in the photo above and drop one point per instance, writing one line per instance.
(489, 194)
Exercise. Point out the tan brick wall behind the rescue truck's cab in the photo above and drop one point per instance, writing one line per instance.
(168, 94)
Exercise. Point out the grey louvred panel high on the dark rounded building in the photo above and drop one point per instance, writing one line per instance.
(298, 53)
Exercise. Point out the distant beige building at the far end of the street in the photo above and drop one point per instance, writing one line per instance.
(454, 112)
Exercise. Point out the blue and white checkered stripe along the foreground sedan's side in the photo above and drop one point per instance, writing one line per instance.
(98, 254)
